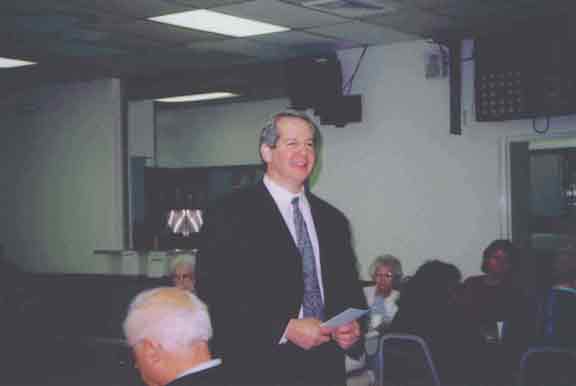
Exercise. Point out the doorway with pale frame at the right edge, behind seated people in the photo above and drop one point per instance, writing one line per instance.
(542, 181)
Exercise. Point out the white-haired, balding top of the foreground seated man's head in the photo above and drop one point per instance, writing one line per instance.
(174, 318)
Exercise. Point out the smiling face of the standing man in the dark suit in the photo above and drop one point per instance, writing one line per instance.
(291, 161)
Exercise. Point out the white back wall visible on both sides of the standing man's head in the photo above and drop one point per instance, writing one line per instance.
(407, 185)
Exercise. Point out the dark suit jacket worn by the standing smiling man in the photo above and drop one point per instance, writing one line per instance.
(249, 272)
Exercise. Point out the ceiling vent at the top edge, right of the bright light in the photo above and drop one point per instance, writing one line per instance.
(354, 8)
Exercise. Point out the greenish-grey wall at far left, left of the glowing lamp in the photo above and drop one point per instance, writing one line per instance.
(61, 196)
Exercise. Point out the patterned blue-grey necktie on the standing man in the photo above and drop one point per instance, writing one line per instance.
(312, 304)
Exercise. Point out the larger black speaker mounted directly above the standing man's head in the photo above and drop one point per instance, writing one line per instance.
(310, 80)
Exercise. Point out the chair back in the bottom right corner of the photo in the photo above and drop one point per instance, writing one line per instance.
(547, 365)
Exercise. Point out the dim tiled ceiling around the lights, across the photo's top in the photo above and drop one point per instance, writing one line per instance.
(88, 38)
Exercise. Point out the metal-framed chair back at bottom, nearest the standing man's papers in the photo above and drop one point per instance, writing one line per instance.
(405, 359)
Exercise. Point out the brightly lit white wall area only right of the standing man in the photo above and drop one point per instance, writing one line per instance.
(411, 188)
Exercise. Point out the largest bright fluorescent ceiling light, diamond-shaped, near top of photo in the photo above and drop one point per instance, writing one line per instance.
(220, 23)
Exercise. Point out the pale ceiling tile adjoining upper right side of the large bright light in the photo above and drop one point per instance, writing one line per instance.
(279, 13)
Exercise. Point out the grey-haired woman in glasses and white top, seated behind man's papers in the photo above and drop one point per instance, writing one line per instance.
(386, 271)
